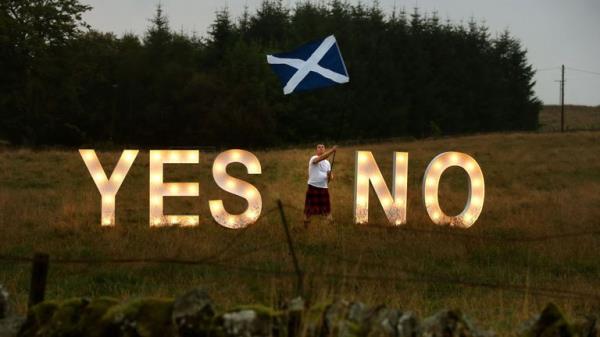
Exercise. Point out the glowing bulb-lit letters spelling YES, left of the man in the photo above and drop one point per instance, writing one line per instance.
(108, 188)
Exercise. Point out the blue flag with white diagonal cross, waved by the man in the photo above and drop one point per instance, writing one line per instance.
(314, 65)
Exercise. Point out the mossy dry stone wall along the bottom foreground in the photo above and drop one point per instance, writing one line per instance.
(194, 314)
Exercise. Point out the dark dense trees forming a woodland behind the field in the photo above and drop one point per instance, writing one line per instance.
(411, 74)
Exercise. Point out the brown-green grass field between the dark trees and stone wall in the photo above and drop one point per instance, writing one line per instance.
(536, 184)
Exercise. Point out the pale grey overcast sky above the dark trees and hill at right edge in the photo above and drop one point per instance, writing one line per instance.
(554, 32)
